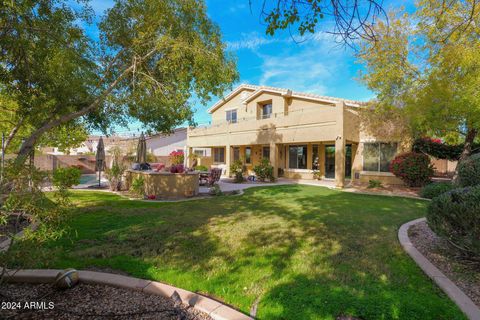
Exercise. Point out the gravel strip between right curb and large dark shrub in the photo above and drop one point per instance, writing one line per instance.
(465, 275)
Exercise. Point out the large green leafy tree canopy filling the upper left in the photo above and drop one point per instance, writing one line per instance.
(152, 57)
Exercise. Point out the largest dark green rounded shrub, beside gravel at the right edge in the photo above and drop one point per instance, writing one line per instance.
(455, 215)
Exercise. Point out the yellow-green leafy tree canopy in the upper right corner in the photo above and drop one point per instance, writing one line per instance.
(425, 68)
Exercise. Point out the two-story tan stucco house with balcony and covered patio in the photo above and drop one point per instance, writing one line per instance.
(298, 132)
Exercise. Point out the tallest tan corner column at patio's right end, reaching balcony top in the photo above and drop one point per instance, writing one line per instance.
(340, 147)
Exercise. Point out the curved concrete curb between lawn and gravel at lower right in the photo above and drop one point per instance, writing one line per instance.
(454, 292)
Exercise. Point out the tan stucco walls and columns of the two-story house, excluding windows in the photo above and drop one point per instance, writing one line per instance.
(294, 121)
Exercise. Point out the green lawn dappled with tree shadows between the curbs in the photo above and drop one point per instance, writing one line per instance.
(302, 252)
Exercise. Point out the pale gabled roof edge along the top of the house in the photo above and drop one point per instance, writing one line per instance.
(258, 90)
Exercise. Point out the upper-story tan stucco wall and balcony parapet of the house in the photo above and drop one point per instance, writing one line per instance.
(313, 124)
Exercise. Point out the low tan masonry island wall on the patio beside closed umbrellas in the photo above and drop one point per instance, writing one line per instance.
(165, 184)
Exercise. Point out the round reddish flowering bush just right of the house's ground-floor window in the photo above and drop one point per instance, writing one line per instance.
(413, 168)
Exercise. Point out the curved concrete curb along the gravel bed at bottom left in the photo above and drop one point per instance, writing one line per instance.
(215, 309)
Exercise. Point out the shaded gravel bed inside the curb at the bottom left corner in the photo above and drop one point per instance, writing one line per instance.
(90, 302)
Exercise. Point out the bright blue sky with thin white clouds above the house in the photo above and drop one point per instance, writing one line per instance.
(316, 65)
